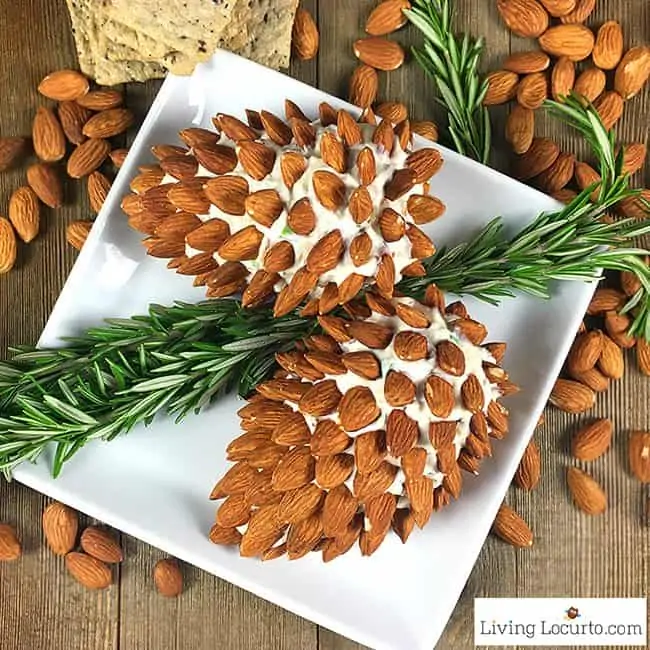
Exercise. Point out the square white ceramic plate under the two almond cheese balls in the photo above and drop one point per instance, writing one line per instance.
(154, 483)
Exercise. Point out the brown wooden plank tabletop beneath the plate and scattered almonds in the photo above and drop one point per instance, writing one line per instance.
(40, 605)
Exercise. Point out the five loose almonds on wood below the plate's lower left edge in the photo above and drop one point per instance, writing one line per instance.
(89, 556)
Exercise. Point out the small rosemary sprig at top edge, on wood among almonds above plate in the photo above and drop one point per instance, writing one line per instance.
(452, 61)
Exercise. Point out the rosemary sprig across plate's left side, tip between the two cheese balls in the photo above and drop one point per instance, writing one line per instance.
(175, 360)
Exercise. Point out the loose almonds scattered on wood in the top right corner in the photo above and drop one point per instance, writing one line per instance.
(609, 77)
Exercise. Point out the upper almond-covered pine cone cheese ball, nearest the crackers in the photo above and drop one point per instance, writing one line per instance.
(289, 210)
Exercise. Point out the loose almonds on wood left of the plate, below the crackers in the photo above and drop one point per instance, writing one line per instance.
(78, 132)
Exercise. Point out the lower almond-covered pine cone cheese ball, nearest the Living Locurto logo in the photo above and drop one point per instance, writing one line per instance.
(366, 428)
